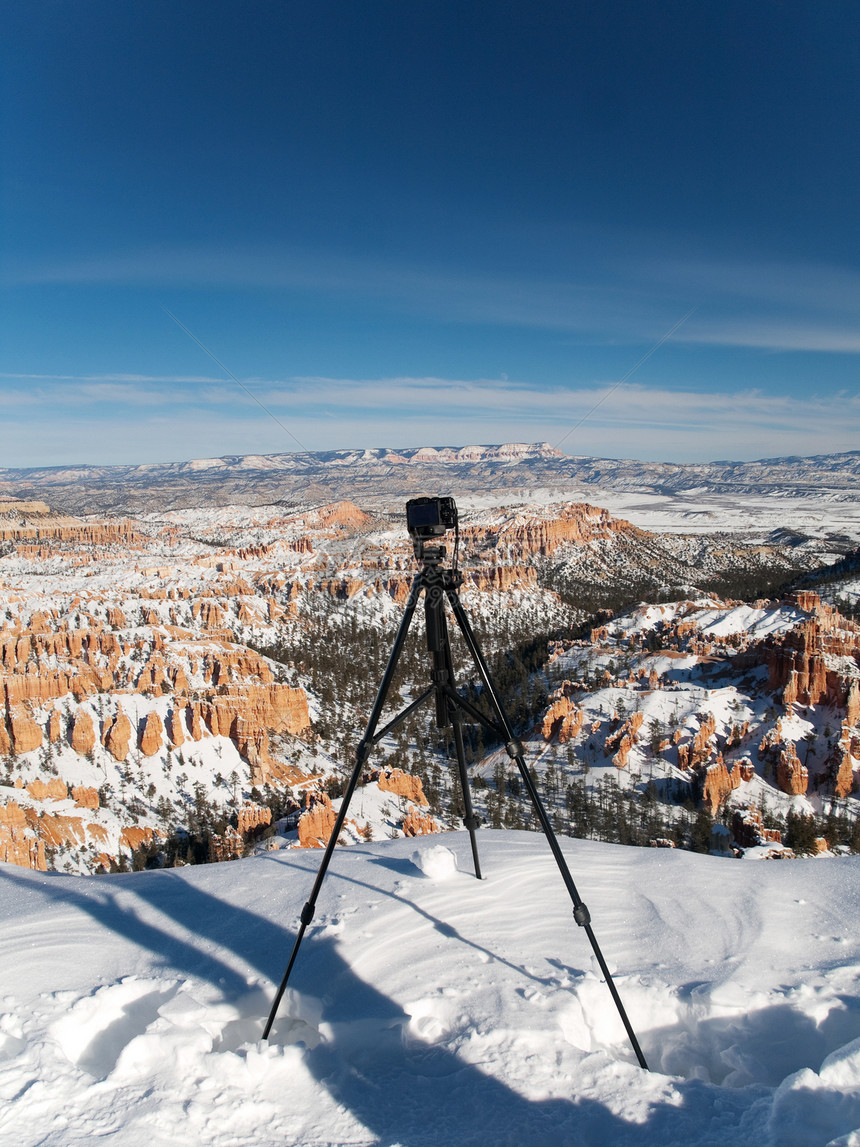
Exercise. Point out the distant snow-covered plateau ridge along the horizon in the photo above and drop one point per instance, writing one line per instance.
(702, 495)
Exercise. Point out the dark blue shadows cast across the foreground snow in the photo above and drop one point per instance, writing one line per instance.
(404, 1093)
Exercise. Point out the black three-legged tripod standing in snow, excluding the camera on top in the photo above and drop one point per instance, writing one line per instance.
(439, 586)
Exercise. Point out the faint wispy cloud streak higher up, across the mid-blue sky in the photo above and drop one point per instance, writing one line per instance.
(759, 303)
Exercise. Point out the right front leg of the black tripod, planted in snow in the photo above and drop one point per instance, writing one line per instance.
(515, 751)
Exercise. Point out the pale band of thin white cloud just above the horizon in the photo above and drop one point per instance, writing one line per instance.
(338, 413)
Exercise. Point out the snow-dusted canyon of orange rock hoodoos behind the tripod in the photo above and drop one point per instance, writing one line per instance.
(201, 674)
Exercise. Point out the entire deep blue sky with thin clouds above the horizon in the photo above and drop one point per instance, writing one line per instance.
(429, 223)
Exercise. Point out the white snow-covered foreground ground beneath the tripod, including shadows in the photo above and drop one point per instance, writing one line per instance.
(429, 1009)
